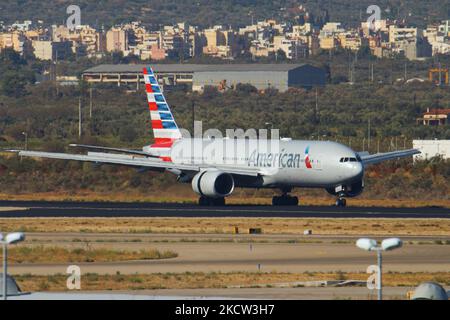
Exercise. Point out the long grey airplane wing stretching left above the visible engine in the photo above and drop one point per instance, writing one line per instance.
(137, 162)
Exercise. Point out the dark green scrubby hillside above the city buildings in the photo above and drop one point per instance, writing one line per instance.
(232, 12)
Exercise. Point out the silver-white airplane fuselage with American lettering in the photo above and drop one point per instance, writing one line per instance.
(293, 163)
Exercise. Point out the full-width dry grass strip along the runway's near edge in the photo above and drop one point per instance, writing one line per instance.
(293, 226)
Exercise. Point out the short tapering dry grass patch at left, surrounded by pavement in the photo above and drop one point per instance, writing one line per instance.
(41, 254)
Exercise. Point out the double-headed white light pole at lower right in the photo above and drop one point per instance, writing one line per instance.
(372, 245)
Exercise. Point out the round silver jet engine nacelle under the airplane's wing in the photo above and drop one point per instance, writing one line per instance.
(213, 184)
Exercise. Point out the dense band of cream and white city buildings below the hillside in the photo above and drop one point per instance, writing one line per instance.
(294, 33)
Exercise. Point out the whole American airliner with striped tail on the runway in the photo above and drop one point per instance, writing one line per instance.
(295, 163)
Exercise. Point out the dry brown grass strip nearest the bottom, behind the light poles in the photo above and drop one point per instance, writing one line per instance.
(212, 280)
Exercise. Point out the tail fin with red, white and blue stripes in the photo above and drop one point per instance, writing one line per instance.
(164, 126)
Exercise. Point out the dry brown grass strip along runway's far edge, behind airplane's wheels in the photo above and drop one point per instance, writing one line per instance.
(181, 197)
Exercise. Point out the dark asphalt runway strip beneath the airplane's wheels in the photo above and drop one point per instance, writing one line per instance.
(17, 209)
